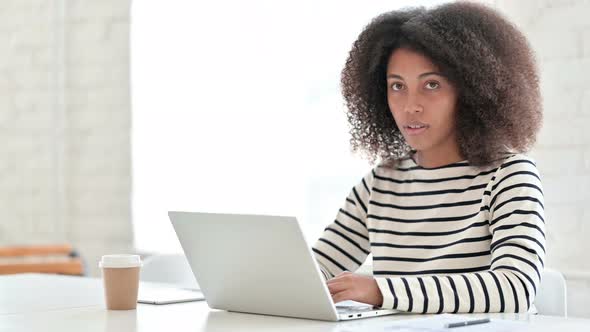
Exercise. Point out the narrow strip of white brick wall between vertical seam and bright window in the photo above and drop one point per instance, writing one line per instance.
(98, 121)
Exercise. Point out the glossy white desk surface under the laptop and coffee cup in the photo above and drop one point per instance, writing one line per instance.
(33, 302)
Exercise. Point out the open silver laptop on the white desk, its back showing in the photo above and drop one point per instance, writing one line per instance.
(259, 264)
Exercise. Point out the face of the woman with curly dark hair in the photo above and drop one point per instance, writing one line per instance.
(419, 96)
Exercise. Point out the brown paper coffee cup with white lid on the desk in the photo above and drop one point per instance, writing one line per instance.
(120, 274)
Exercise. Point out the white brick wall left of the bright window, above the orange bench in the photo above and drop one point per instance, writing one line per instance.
(65, 125)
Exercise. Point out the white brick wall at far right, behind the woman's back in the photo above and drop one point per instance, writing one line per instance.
(559, 32)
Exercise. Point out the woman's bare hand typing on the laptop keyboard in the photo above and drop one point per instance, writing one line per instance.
(350, 286)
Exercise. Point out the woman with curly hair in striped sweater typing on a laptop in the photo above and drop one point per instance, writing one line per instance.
(449, 99)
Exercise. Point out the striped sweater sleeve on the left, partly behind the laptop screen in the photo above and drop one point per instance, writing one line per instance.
(344, 245)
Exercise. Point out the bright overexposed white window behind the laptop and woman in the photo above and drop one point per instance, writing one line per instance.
(237, 109)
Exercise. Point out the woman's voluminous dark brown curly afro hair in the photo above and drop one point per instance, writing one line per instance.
(484, 56)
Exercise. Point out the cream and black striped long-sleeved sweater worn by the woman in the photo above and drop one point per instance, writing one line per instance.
(455, 238)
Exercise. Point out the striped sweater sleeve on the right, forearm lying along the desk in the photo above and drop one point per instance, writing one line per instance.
(514, 197)
